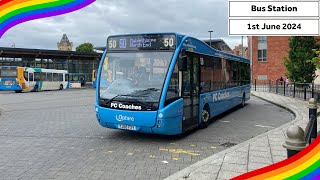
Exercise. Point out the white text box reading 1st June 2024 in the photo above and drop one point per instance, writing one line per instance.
(279, 27)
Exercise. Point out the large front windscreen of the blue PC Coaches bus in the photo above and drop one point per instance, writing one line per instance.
(135, 75)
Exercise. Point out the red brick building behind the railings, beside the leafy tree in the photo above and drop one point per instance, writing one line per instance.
(268, 53)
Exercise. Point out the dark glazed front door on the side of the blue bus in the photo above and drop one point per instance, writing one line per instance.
(190, 93)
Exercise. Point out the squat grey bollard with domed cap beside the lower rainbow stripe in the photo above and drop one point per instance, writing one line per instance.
(295, 141)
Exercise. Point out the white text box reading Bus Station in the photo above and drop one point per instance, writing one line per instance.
(262, 9)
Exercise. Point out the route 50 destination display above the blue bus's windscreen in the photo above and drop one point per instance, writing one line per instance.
(142, 42)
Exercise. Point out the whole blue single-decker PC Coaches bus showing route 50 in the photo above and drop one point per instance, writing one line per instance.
(167, 83)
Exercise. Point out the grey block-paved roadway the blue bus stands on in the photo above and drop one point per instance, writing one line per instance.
(54, 135)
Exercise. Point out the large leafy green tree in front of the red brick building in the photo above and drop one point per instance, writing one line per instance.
(299, 67)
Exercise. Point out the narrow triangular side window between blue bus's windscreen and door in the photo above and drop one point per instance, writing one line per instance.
(173, 90)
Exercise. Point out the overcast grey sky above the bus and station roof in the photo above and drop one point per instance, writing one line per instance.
(96, 22)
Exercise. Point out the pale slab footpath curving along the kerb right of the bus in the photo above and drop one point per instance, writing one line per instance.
(261, 151)
